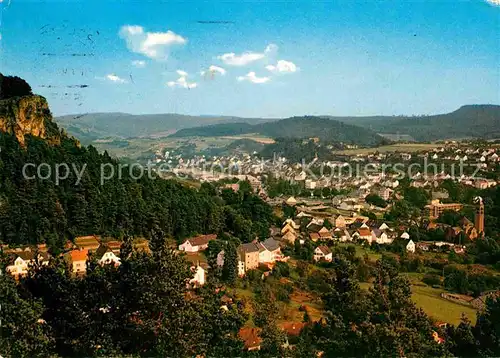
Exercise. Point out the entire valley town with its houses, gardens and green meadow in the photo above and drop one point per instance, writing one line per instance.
(428, 223)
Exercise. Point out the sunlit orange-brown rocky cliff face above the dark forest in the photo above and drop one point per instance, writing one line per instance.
(28, 115)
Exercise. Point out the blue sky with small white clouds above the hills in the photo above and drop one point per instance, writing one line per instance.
(270, 59)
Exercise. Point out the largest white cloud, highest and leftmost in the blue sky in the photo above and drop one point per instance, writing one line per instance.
(154, 45)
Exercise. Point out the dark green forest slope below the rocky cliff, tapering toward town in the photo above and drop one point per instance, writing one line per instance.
(37, 210)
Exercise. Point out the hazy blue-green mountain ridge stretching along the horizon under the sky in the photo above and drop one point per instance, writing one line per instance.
(481, 121)
